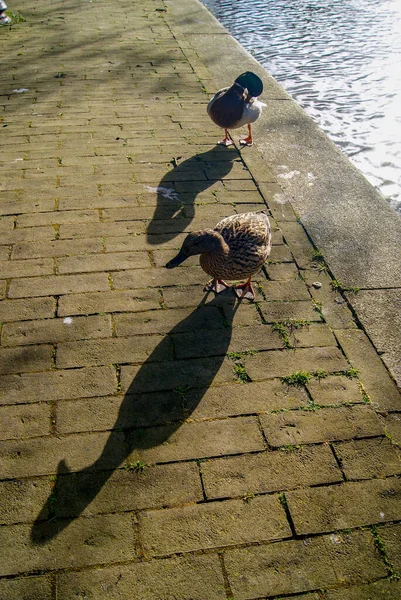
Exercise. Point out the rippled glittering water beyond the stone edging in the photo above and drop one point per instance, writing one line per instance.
(341, 60)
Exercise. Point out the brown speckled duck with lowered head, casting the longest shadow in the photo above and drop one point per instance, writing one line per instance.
(235, 249)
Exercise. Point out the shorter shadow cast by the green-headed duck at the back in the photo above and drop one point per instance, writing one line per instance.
(179, 188)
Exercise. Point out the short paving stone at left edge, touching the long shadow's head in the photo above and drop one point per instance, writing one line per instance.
(23, 499)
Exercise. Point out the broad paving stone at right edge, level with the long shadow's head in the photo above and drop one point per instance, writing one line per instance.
(351, 504)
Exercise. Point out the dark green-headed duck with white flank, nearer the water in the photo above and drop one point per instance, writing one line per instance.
(236, 106)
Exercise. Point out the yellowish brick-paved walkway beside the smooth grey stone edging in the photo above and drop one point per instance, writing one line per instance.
(151, 449)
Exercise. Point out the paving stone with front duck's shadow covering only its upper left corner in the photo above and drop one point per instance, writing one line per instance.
(196, 440)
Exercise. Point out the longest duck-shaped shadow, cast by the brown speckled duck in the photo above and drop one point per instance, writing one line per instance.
(154, 397)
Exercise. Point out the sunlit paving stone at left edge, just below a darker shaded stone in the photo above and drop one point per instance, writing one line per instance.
(57, 385)
